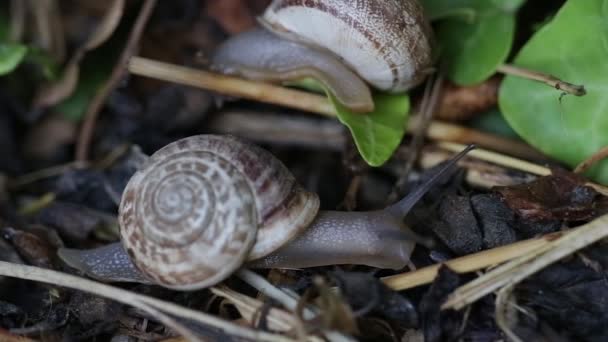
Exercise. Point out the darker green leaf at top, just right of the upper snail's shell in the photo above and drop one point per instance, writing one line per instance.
(476, 37)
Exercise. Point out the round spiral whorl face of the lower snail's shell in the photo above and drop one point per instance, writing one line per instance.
(188, 218)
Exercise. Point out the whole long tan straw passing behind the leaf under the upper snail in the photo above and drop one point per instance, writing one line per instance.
(309, 102)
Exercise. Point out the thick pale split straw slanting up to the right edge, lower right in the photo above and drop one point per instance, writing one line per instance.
(521, 268)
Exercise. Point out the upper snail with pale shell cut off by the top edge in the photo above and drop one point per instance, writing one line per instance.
(341, 43)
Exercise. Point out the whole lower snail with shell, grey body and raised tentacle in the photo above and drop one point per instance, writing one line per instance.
(201, 207)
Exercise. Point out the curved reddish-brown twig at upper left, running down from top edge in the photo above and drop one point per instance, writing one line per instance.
(90, 117)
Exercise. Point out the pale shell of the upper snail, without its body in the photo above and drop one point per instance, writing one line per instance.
(387, 42)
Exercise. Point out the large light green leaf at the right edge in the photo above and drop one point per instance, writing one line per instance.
(573, 47)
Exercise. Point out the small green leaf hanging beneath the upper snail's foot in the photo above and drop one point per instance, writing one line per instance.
(379, 133)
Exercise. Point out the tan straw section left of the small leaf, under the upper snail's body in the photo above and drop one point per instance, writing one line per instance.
(232, 86)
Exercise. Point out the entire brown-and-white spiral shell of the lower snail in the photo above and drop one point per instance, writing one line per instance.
(203, 205)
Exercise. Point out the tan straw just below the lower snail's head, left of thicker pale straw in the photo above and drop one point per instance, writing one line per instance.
(467, 263)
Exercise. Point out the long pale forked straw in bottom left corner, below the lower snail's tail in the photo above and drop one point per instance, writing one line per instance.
(150, 305)
